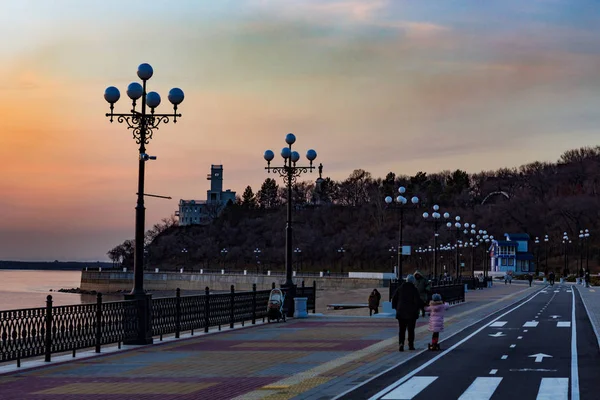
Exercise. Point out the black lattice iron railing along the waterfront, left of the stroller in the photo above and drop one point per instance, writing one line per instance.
(47, 330)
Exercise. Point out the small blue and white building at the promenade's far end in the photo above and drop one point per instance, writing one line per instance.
(512, 254)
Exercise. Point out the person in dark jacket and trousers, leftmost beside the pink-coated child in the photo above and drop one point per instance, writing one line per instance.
(407, 302)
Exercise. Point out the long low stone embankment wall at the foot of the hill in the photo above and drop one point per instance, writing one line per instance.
(114, 281)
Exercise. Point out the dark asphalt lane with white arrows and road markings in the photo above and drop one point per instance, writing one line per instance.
(541, 348)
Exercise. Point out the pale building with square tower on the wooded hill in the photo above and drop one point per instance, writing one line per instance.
(198, 212)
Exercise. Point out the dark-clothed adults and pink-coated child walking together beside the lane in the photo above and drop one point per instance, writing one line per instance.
(410, 300)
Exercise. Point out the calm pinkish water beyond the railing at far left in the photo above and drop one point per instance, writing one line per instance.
(28, 289)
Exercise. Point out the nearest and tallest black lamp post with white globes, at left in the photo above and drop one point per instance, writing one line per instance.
(142, 124)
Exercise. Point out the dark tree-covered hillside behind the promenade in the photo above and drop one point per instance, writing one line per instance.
(539, 198)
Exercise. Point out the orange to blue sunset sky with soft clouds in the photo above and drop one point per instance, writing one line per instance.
(396, 85)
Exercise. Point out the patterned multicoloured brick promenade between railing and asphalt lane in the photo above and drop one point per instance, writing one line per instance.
(315, 358)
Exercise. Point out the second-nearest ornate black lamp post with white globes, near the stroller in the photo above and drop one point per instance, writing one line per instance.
(289, 172)
